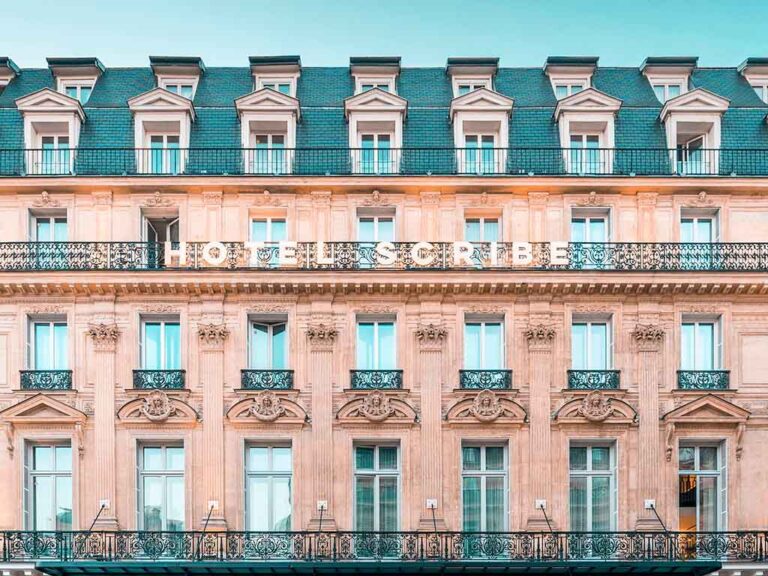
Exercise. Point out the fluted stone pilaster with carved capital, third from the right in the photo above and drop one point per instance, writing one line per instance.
(431, 340)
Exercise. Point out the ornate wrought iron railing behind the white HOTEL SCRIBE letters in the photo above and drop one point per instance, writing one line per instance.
(363, 256)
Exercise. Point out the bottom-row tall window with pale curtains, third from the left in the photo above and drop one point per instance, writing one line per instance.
(268, 488)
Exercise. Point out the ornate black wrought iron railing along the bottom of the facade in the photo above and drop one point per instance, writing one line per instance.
(667, 552)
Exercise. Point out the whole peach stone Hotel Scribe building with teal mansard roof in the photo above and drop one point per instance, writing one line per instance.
(472, 315)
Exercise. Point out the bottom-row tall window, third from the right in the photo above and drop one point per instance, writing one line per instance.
(483, 488)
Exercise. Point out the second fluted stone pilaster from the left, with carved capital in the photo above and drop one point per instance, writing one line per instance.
(211, 345)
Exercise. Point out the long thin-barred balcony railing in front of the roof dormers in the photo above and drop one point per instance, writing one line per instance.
(469, 162)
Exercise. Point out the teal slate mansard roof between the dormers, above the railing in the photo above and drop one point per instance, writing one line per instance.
(322, 91)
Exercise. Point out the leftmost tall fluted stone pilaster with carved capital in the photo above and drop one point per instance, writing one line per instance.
(104, 337)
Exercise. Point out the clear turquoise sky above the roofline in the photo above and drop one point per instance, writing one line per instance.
(423, 32)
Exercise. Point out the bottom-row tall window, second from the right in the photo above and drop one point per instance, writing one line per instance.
(592, 488)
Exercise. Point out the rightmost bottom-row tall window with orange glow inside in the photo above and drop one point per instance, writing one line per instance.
(702, 496)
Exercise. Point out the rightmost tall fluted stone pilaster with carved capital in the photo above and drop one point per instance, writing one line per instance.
(648, 339)
